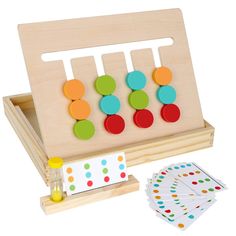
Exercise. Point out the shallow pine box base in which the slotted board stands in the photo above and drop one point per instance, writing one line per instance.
(21, 113)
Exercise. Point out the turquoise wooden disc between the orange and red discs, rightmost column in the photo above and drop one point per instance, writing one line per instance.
(166, 94)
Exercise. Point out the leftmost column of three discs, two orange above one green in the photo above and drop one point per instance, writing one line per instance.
(79, 109)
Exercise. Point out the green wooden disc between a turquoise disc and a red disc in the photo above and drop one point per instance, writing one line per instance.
(138, 99)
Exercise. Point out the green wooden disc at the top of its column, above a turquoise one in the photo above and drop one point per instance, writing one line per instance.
(105, 85)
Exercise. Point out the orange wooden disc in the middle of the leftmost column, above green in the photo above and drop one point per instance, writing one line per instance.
(79, 109)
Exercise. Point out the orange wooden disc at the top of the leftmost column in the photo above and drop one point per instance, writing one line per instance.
(73, 89)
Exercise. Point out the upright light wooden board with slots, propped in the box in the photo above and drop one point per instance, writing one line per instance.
(47, 78)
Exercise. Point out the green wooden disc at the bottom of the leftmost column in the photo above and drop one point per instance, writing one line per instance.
(84, 129)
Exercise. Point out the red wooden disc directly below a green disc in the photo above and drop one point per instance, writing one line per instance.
(143, 118)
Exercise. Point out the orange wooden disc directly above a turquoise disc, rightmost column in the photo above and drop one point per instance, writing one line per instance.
(162, 75)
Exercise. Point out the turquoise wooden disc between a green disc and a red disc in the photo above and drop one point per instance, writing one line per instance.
(110, 105)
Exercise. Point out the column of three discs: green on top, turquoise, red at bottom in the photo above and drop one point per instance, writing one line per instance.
(109, 104)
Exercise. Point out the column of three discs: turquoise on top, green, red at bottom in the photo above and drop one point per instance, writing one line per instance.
(138, 99)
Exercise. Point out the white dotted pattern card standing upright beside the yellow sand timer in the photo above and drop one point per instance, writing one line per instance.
(96, 172)
